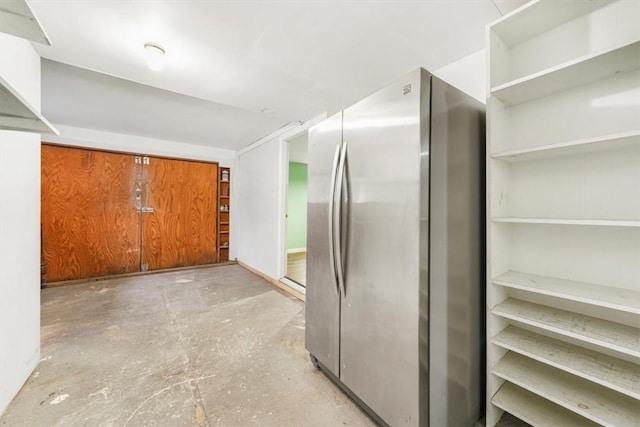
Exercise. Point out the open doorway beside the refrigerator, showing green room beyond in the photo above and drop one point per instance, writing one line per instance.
(296, 223)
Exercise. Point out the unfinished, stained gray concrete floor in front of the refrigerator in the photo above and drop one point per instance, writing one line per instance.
(201, 347)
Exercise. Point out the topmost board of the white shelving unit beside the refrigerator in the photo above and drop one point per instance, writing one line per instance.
(537, 17)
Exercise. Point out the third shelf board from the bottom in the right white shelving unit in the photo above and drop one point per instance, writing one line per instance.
(610, 372)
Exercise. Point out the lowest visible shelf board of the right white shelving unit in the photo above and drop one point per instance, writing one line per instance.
(535, 410)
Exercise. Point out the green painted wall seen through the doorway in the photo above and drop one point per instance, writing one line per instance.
(297, 206)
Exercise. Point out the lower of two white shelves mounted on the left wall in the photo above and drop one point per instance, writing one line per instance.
(17, 114)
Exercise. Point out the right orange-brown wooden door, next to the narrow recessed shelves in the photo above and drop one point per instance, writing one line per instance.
(181, 230)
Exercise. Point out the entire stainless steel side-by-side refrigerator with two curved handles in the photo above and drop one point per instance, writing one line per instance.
(394, 302)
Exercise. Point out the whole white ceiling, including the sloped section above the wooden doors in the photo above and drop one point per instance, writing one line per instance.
(279, 61)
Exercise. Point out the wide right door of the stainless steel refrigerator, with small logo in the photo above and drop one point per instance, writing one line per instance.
(380, 313)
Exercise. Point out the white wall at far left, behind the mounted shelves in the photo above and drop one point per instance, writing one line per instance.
(19, 227)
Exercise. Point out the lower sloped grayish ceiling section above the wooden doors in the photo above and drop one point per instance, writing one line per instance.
(74, 96)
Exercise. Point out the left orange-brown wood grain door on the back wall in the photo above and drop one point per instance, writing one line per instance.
(89, 221)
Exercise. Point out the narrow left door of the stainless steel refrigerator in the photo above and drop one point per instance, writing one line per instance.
(322, 332)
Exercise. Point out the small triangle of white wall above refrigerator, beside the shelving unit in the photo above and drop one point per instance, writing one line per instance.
(467, 74)
